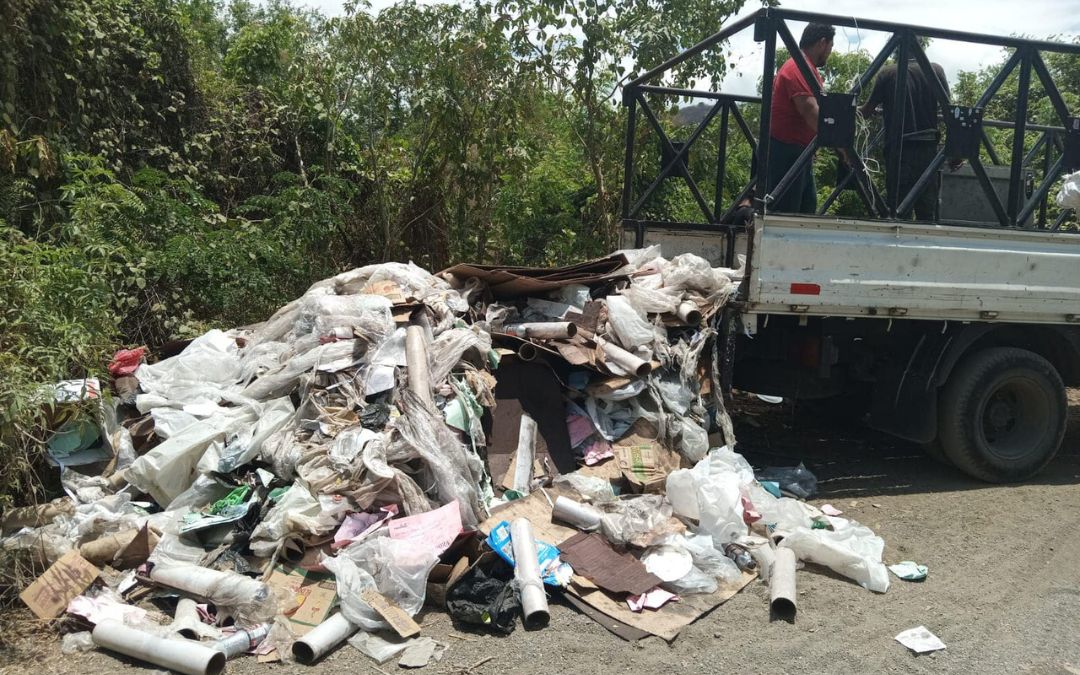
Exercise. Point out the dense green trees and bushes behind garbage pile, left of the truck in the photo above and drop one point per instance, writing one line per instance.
(167, 166)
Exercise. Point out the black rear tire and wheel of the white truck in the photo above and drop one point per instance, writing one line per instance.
(1003, 414)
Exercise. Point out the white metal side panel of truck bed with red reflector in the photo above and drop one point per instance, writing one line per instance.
(857, 268)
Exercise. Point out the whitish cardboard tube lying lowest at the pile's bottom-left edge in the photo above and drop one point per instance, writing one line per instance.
(175, 655)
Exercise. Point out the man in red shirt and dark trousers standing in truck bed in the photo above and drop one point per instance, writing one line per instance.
(794, 121)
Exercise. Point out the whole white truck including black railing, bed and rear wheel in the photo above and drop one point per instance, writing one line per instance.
(960, 339)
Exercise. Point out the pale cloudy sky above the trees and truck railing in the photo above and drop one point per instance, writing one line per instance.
(1038, 19)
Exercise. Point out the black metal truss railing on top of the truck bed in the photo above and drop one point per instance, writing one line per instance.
(1059, 145)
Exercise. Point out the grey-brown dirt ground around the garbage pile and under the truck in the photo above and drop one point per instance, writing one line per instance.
(1004, 591)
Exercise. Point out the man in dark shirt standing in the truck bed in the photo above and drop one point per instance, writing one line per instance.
(920, 144)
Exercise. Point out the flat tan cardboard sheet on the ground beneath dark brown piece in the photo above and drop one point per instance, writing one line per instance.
(669, 620)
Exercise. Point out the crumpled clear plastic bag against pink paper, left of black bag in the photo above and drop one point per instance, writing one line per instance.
(398, 569)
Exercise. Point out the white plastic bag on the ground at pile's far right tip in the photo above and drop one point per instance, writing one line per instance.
(854, 551)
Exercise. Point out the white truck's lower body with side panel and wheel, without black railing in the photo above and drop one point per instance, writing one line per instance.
(963, 340)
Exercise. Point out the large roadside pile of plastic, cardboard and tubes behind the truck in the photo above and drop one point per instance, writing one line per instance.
(482, 441)
